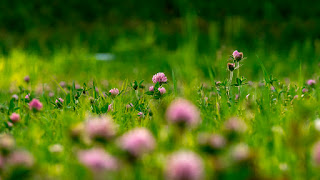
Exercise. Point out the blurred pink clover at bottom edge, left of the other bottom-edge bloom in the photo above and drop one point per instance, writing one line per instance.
(97, 160)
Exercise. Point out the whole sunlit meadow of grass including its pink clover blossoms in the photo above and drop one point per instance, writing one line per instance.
(263, 126)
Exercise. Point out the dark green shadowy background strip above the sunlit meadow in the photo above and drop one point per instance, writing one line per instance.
(43, 26)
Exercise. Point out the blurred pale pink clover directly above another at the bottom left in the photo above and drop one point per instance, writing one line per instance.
(101, 128)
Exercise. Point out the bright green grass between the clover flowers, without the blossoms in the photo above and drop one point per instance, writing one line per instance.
(280, 129)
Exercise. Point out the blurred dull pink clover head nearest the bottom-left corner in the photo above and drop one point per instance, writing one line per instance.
(21, 158)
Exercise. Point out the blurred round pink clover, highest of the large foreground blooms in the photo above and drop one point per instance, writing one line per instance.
(183, 112)
